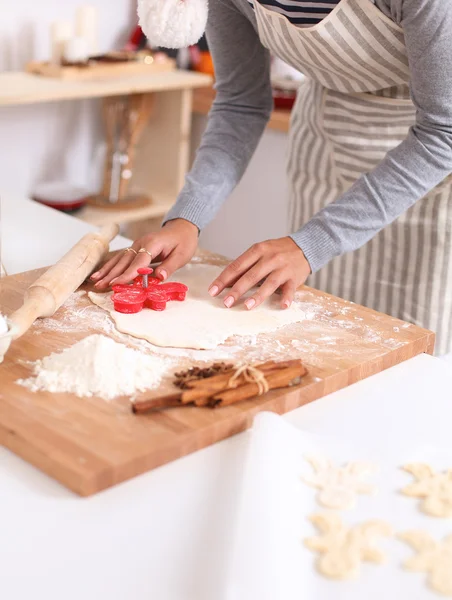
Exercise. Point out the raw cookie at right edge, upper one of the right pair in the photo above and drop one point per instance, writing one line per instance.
(434, 488)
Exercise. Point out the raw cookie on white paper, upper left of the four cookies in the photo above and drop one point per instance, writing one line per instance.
(339, 486)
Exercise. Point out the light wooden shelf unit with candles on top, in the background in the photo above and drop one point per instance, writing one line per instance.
(163, 153)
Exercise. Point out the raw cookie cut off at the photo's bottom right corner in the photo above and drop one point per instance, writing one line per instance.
(434, 558)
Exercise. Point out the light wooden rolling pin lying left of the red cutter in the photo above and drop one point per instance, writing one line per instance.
(44, 297)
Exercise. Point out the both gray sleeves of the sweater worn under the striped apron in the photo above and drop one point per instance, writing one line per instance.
(243, 106)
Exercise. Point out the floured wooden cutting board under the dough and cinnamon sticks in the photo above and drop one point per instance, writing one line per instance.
(89, 444)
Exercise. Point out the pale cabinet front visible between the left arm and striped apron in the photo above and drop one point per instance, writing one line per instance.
(257, 209)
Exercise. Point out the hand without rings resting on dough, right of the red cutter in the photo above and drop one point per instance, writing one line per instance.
(280, 263)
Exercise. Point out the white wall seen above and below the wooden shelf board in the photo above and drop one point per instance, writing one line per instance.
(50, 140)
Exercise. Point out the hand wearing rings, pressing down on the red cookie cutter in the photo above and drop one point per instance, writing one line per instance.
(174, 245)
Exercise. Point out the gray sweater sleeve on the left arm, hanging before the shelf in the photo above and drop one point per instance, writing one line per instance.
(238, 116)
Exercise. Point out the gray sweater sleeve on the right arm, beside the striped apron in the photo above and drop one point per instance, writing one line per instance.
(413, 168)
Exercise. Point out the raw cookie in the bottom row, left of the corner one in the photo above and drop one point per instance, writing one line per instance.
(342, 549)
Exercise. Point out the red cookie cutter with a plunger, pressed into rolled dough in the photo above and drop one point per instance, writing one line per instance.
(146, 292)
